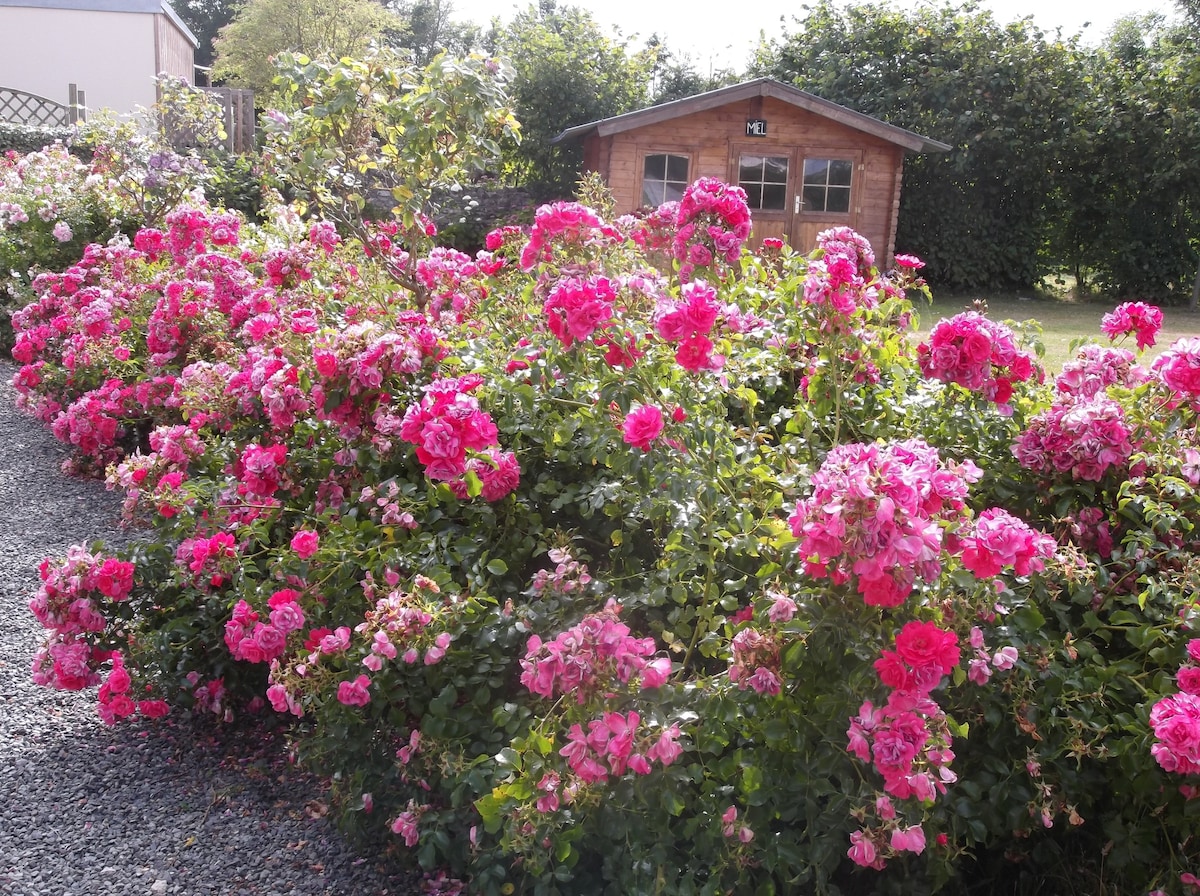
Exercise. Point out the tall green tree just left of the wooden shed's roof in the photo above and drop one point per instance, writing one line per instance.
(567, 73)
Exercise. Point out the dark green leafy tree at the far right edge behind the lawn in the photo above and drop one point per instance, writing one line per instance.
(1130, 223)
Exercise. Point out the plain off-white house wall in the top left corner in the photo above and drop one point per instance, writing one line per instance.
(111, 56)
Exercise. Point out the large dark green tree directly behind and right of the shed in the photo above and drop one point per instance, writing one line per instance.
(1005, 98)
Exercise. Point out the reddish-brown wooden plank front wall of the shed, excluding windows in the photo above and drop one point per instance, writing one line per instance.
(715, 140)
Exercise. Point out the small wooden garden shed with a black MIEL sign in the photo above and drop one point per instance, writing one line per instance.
(807, 164)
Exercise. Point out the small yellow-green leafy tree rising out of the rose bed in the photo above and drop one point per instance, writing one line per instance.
(349, 129)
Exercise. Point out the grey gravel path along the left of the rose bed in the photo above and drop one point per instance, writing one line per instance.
(169, 807)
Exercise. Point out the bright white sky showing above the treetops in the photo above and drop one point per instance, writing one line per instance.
(729, 37)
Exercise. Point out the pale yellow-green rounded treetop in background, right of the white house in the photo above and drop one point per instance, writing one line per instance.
(262, 29)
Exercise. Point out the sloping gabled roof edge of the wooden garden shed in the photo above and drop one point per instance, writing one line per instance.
(748, 91)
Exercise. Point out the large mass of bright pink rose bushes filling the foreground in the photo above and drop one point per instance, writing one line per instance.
(584, 548)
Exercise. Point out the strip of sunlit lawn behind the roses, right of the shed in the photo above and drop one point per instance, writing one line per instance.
(1063, 322)
